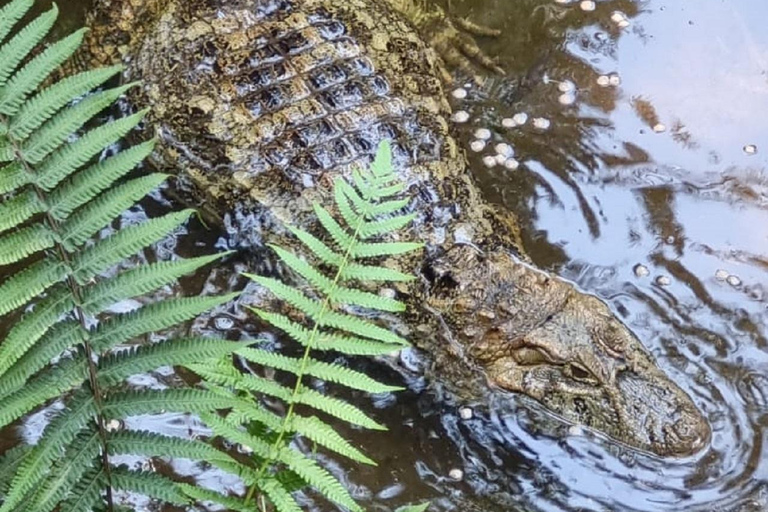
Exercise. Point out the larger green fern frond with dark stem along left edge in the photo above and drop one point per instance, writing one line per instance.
(55, 198)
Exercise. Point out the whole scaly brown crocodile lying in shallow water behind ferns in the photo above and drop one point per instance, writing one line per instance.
(261, 104)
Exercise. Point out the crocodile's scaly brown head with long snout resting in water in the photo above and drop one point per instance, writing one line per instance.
(538, 335)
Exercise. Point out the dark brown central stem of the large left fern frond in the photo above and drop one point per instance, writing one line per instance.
(74, 287)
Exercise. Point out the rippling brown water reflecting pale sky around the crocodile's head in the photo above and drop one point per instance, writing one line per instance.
(599, 193)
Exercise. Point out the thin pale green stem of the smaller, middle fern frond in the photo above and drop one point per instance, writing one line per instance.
(308, 352)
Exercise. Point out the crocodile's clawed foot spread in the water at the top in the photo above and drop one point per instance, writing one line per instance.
(453, 38)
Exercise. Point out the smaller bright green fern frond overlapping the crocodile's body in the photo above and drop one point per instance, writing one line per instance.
(367, 213)
